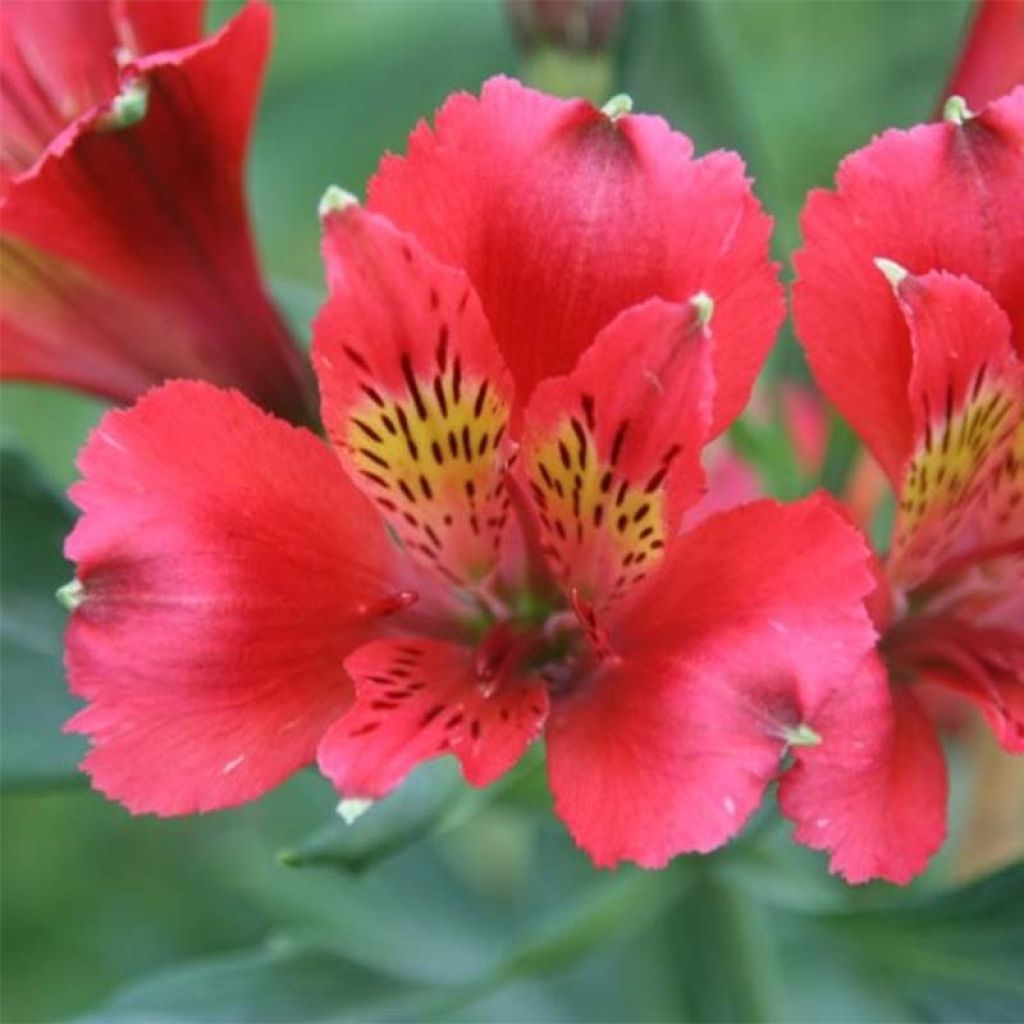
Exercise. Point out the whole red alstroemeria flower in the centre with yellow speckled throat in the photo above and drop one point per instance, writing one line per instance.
(519, 370)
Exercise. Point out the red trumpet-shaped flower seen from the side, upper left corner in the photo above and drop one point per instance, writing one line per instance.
(127, 253)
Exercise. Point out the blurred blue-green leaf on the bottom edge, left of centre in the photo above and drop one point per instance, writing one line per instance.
(280, 983)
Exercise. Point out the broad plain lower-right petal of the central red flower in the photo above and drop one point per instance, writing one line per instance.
(755, 620)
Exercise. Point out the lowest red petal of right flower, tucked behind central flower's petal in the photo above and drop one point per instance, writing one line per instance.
(874, 792)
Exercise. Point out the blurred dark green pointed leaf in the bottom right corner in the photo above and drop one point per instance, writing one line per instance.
(946, 956)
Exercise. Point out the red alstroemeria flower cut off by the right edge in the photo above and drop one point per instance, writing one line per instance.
(911, 306)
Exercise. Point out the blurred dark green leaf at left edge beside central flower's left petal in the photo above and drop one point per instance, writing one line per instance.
(35, 699)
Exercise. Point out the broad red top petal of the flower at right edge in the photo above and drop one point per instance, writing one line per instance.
(938, 197)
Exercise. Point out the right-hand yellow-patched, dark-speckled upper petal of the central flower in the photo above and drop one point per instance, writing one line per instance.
(612, 453)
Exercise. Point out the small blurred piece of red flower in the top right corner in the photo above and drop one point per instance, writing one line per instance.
(992, 62)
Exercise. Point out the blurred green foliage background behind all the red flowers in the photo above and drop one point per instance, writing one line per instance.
(439, 905)
